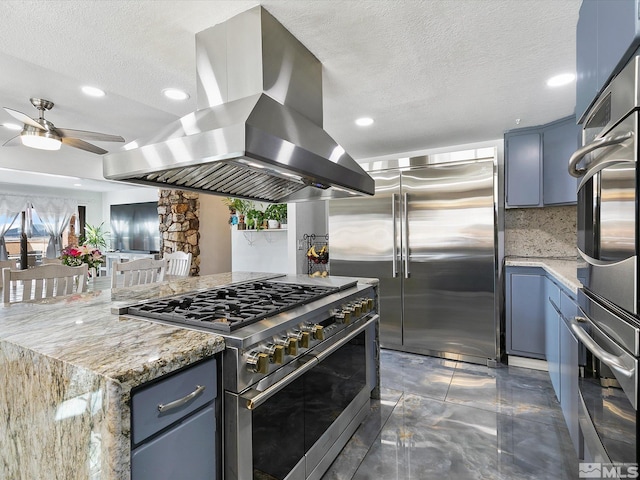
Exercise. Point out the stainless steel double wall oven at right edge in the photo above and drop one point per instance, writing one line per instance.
(608, 323)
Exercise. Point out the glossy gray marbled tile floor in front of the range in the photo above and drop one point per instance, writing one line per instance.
(442, 419)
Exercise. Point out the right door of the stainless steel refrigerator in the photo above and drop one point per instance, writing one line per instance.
(449, 271)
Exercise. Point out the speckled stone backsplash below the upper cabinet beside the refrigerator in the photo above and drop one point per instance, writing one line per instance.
(540, 232)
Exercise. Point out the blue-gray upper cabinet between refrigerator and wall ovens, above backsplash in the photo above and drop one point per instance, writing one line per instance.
(536, 161)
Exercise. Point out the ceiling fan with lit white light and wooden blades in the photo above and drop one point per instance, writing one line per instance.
(42, 134)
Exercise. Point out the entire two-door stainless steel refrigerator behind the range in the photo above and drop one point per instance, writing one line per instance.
(429, 235)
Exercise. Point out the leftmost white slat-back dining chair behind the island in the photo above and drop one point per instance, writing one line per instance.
(43, 282)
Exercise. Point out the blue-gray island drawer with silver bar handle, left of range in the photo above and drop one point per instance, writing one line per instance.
(147, 418)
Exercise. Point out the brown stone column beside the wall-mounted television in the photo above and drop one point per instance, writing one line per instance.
(179, 215)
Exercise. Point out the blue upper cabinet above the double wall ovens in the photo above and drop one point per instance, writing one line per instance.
(608, 34)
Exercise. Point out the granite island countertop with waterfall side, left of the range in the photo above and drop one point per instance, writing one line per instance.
(67, 368)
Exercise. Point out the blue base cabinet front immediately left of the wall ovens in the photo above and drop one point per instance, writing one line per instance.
(569, 371)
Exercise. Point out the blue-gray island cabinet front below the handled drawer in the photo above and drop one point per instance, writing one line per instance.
(187, 451)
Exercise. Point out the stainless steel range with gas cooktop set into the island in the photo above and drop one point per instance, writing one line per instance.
(298, 370)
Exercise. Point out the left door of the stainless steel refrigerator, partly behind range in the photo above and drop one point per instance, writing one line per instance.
(366, 240)
